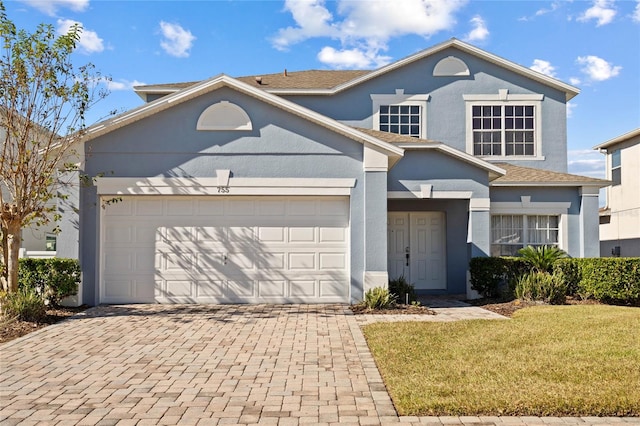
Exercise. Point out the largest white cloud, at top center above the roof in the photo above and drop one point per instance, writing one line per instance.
(363, 27)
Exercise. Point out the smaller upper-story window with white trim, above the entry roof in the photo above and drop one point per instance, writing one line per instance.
(401, 114)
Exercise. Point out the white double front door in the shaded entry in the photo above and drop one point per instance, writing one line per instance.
(416, 248)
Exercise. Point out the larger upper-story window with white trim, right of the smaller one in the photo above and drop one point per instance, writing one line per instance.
(504, 126)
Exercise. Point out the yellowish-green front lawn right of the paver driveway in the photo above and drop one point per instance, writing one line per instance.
(546, 361)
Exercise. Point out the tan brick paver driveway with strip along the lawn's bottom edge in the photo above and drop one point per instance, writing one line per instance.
(210, 365)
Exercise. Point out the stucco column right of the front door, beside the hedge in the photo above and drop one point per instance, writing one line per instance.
(478, 234)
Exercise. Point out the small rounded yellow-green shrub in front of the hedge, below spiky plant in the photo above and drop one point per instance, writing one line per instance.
(541, 286)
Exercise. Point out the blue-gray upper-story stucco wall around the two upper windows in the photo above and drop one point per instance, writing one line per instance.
(446, 108)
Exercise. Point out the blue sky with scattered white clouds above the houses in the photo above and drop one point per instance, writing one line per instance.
(594, 45)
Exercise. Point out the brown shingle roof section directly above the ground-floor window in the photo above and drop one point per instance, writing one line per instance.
(527, 176)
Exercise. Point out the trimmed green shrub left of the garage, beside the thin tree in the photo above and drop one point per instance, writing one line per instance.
(53, 279)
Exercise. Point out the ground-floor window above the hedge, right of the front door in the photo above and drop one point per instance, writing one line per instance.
(511, 232)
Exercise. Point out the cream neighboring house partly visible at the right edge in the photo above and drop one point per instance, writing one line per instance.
(620, 218)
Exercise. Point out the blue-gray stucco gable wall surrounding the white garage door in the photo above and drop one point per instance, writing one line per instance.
(167, 145)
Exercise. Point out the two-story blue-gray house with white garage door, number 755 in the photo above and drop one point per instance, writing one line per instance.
(315, 186)
